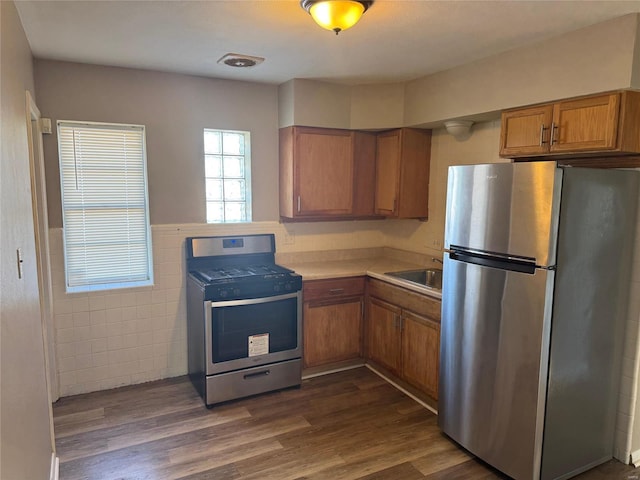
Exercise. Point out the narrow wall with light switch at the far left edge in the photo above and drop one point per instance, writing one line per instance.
(25, 438)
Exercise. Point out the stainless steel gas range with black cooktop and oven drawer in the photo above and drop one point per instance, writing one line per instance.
(244, 318)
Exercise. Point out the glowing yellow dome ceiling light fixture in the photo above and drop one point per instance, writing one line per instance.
(336, 15)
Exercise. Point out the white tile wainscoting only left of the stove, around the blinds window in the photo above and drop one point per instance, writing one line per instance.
(112, 338)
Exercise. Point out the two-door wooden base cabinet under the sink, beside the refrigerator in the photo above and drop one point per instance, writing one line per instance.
(403, 334)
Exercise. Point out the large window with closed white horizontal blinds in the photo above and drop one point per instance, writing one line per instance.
(107, 241)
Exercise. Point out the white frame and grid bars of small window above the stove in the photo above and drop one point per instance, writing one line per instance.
(247, 176)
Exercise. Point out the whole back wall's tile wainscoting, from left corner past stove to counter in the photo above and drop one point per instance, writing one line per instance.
(113, 338)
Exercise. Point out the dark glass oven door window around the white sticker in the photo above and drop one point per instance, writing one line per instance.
(233, 325)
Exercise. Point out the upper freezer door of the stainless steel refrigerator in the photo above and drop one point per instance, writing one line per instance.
(510, 209)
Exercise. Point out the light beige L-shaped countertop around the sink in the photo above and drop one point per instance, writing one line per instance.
(375, 267)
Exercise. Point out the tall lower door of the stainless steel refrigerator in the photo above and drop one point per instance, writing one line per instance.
(493, 363)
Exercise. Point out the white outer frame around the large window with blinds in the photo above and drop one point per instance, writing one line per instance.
(113, 283)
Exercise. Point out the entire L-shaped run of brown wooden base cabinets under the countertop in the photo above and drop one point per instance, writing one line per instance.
(391, 327)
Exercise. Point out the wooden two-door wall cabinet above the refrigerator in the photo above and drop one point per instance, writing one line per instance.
(606, 123)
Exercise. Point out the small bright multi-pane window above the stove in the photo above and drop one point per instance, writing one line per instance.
(227, 166)
